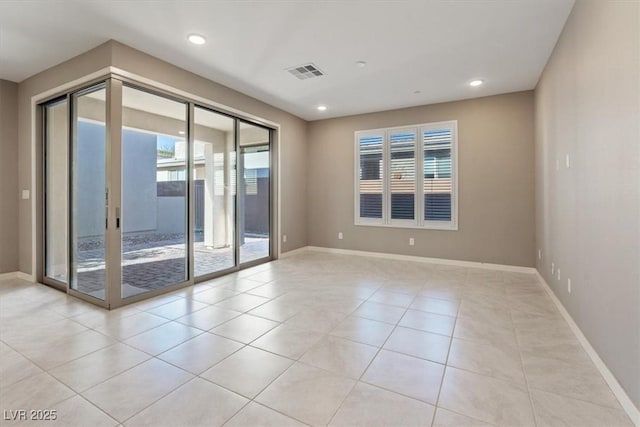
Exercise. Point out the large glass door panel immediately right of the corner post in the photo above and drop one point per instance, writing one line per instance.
(154, 192)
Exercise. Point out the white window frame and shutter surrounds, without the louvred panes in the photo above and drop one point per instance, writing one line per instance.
(418, 222)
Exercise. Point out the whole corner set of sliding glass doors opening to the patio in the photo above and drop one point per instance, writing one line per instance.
(145, 192)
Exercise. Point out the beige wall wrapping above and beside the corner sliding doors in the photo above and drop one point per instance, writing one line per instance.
(292, 132)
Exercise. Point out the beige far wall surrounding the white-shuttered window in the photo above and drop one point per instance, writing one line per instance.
(495, 162)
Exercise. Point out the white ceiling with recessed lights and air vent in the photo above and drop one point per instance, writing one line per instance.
(432, 46)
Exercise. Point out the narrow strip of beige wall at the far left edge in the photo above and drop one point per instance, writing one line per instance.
(8, 176)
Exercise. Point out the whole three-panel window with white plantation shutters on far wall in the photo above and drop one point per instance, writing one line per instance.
(389, 191)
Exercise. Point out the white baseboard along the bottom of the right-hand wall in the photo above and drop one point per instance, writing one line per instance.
(615, 386)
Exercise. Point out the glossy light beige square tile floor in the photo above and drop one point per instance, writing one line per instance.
(313, 339)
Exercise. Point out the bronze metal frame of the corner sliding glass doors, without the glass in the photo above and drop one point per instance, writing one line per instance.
(114, 81)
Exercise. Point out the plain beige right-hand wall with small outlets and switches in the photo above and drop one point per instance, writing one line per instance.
(588, 216)
